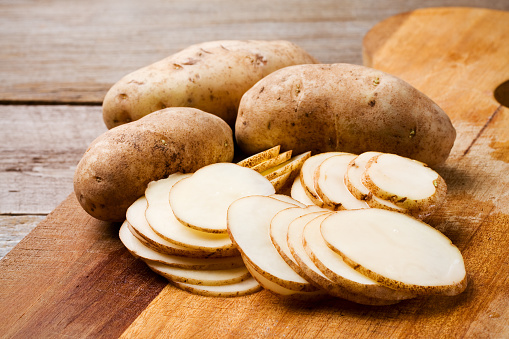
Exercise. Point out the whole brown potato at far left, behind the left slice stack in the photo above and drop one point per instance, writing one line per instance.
(117, 167)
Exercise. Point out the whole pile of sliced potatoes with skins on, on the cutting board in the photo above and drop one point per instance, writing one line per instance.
(350, 228)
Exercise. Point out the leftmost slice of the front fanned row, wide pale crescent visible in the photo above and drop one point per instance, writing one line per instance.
(248, 225)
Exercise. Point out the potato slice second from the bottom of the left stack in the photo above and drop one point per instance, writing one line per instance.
(201, 277)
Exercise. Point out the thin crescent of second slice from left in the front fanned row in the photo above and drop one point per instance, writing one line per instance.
(279, 230)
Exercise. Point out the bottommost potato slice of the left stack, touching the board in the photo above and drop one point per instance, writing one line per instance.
(246, 287)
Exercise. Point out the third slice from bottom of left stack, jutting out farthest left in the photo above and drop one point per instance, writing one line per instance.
(140, 250)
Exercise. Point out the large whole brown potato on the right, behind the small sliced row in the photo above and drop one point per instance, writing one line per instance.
(342, 107)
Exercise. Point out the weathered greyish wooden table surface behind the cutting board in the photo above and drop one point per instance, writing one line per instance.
(58, 58)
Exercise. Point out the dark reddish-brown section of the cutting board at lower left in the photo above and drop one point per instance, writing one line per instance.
(72, 277)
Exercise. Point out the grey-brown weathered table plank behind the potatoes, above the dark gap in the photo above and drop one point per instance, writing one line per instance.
(49, 55)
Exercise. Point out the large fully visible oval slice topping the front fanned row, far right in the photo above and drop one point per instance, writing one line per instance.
(396, 250)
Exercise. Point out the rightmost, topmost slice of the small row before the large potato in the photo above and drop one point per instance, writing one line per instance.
(405, 182)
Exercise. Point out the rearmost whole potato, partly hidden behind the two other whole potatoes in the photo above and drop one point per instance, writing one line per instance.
(211, 76)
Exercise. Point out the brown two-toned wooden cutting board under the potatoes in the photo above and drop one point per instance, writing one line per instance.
(72, 277)
